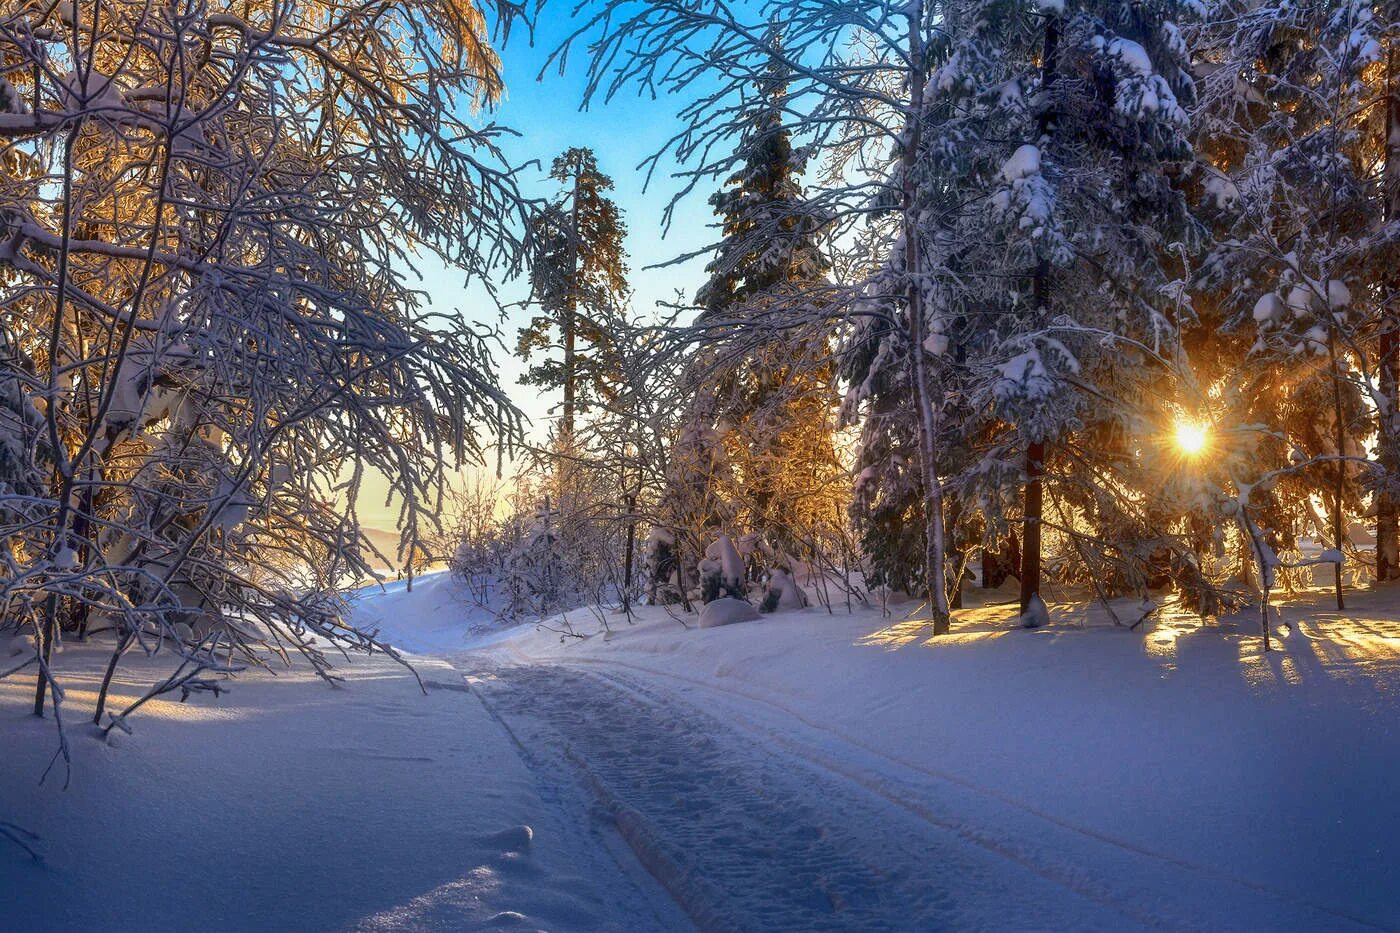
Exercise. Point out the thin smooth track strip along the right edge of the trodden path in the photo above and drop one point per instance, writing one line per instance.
(1154, 887)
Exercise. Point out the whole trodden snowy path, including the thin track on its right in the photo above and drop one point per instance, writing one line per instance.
(759, 820)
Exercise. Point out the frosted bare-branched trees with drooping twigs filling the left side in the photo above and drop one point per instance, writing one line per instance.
(209, 336)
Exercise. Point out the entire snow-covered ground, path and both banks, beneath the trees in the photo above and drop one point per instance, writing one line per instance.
(808, 771)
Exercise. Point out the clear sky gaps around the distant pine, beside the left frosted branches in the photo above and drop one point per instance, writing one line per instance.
(622, 134)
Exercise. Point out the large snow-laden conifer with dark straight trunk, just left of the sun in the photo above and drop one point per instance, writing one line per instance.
(1069, 124)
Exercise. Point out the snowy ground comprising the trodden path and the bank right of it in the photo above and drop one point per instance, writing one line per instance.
(1083, 775)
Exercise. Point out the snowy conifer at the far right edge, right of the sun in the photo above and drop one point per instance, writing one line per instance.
(1298, 125)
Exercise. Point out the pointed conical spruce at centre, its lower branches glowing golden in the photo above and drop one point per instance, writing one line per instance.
(762, 413)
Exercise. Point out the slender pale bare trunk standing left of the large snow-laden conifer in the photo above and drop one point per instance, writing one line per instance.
(934, 557)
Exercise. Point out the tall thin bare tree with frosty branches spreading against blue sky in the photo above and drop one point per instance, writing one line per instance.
(856, 82)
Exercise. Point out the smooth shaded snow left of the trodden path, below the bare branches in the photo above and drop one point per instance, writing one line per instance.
(292, 805)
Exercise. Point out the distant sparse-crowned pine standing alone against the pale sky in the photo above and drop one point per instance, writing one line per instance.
(579, 278)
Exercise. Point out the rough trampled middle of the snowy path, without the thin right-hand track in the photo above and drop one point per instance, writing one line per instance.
(750, 837)
